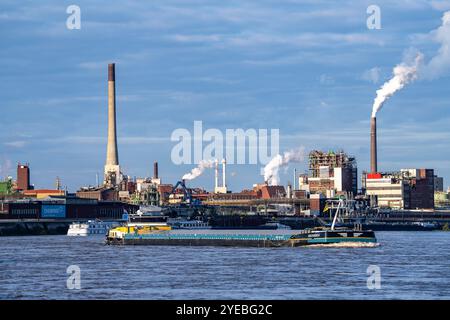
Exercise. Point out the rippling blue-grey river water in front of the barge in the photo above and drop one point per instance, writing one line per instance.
(411, 265)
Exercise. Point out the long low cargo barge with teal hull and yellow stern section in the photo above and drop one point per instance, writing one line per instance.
(240, 238)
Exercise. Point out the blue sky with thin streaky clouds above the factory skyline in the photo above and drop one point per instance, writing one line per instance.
(308, 68)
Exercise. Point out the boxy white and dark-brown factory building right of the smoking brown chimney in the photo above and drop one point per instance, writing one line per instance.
(406, 189)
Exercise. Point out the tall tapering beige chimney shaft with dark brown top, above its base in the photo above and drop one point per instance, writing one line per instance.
(112, 157)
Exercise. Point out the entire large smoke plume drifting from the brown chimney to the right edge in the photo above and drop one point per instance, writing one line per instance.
(405, 73)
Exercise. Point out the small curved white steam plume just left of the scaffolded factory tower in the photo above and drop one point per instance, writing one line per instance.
(271, 170)
